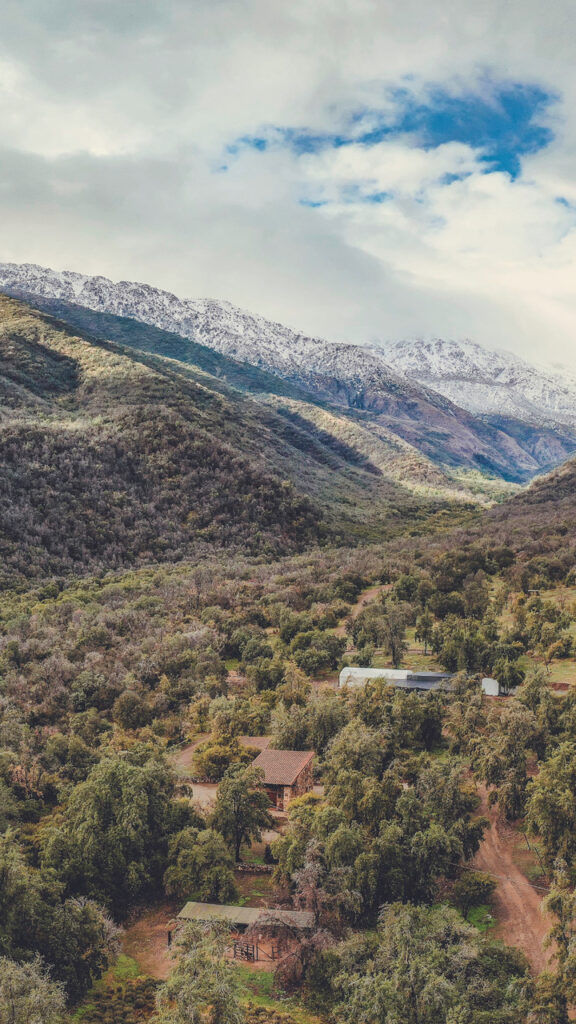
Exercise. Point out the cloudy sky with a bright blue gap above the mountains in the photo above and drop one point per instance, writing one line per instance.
(361, 170)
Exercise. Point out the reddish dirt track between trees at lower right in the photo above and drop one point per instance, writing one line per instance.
(518, 906)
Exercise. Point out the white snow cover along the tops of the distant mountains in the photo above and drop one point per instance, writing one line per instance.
(445, 373)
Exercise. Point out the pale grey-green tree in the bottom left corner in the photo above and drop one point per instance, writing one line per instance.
(28, 996)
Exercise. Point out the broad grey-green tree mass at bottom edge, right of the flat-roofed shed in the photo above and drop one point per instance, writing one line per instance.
(427, 966)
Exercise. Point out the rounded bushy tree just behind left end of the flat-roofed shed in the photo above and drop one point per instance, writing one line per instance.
(200, 866)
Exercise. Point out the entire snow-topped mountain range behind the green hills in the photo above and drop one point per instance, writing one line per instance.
(463, 408)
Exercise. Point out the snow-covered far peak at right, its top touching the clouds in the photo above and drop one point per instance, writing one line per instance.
(495, 385)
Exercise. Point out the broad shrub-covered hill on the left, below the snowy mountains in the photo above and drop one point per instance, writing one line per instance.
(113, 457)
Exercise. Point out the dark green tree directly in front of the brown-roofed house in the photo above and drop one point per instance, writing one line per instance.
(242, 807)
